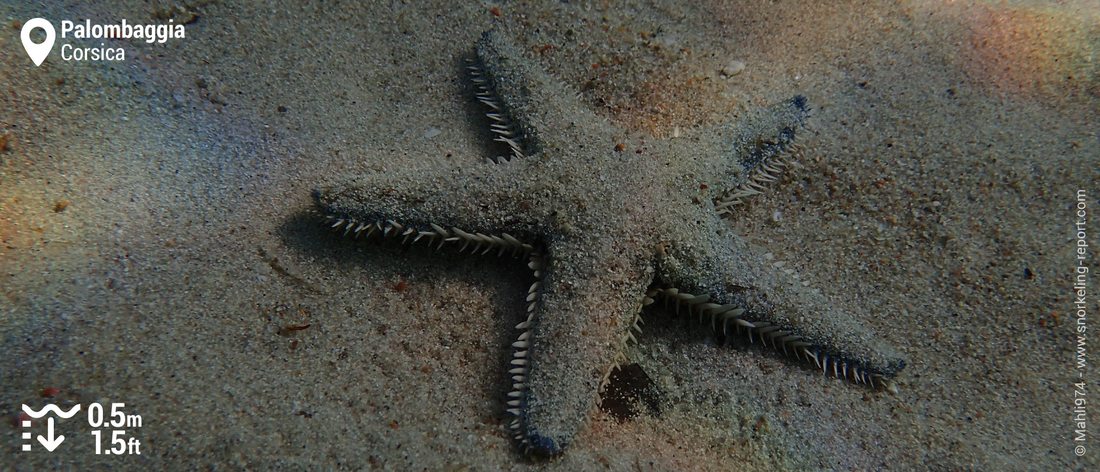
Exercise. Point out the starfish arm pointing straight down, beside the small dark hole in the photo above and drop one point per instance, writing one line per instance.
(580, 317)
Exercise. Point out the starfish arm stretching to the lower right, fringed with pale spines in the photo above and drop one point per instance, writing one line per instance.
(739, 288)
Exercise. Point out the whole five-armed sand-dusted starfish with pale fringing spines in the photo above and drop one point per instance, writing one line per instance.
(606, 233)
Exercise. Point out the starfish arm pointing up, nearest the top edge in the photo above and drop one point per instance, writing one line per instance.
(524, 102)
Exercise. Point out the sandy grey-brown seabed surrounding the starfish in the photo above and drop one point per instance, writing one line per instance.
(158, 246)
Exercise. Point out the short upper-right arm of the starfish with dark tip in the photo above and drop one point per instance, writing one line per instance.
(756, 151)
